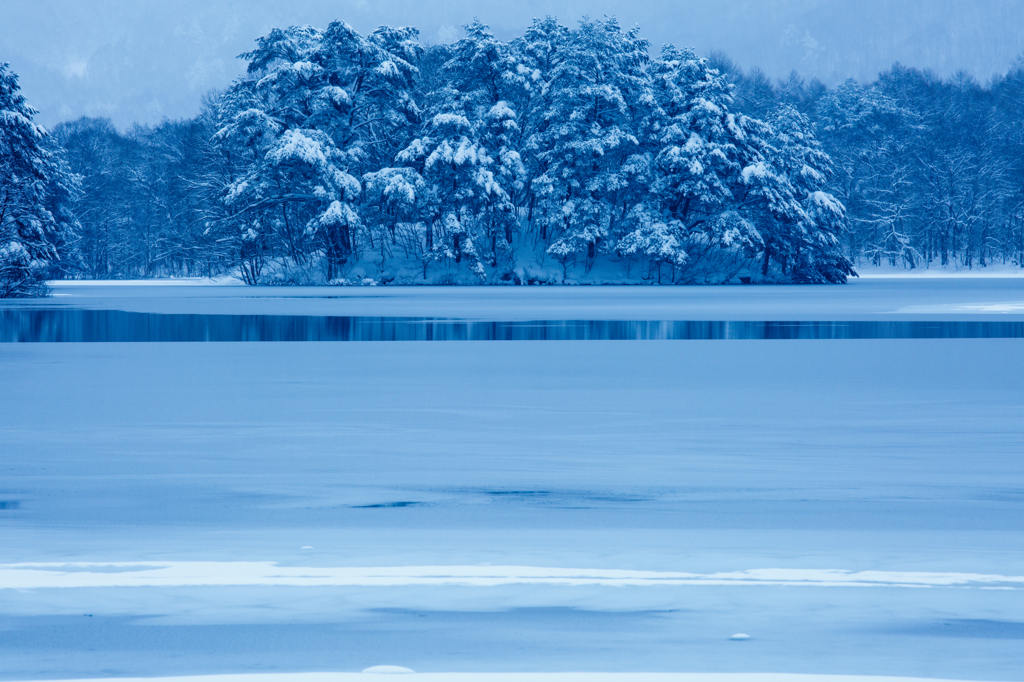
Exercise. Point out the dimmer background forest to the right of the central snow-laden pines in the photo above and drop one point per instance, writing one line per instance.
(931, 170)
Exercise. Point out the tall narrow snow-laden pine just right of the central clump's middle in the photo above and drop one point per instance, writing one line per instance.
(599, 93)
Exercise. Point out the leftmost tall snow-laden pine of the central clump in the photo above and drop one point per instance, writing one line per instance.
(318, 111)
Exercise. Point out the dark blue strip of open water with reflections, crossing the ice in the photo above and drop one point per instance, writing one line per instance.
(100, 326)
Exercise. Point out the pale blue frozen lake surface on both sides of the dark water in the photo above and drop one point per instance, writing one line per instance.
(854, 505)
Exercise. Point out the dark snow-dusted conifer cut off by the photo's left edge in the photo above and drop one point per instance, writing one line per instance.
(36, 190)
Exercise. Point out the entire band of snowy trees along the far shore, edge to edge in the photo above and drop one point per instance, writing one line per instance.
(568, 155)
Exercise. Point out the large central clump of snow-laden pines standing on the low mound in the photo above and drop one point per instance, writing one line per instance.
(572, 144)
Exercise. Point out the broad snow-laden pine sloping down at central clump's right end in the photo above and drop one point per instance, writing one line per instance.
(740, 186)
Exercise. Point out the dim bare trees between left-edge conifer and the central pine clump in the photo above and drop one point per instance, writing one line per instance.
(146, 200)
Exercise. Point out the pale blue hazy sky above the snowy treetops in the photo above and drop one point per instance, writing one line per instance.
(145, 61)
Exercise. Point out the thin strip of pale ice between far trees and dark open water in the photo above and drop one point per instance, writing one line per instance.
(871, 299)
